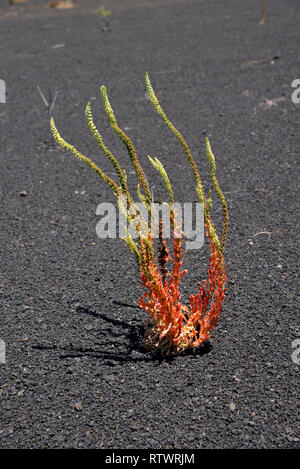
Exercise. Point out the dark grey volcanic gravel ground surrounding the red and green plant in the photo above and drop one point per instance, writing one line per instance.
(75, 373)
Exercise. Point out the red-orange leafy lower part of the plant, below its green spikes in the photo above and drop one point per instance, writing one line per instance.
(175, 327)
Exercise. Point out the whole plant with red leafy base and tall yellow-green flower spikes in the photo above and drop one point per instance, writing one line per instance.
(172, 327)
